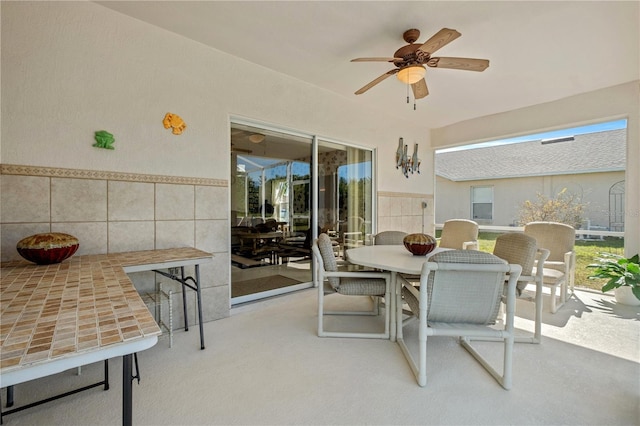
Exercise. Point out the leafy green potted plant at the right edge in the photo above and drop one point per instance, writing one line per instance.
(622, 275)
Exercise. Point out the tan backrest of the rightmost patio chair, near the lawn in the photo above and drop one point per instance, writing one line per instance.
(558, 238)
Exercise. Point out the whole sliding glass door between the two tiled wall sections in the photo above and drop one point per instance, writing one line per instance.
(285, 189)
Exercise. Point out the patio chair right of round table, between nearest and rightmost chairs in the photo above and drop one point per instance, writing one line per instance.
(521, 249)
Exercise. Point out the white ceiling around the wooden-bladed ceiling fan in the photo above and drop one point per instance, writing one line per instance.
(539, 51)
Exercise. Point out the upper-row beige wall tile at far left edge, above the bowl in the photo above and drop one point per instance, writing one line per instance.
(25, 199)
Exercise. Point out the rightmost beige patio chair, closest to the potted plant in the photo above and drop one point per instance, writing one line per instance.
(559, 269)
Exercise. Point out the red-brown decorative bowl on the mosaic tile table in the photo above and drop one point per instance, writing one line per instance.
(48, 248)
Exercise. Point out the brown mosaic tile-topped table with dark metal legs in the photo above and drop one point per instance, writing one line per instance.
(83, 310)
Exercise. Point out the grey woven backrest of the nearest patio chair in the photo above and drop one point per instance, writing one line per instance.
(465, 288)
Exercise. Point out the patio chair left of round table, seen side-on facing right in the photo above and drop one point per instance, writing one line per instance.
(349, 283)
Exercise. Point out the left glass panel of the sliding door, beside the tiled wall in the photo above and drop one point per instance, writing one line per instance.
(270, 212)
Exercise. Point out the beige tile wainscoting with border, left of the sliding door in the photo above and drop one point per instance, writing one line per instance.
(114, 212)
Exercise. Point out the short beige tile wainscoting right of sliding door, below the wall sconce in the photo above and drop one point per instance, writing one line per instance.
(399, 211)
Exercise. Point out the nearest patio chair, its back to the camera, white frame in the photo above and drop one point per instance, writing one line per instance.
(459, 296)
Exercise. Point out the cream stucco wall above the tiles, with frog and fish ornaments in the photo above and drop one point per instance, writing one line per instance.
(71, 68)
